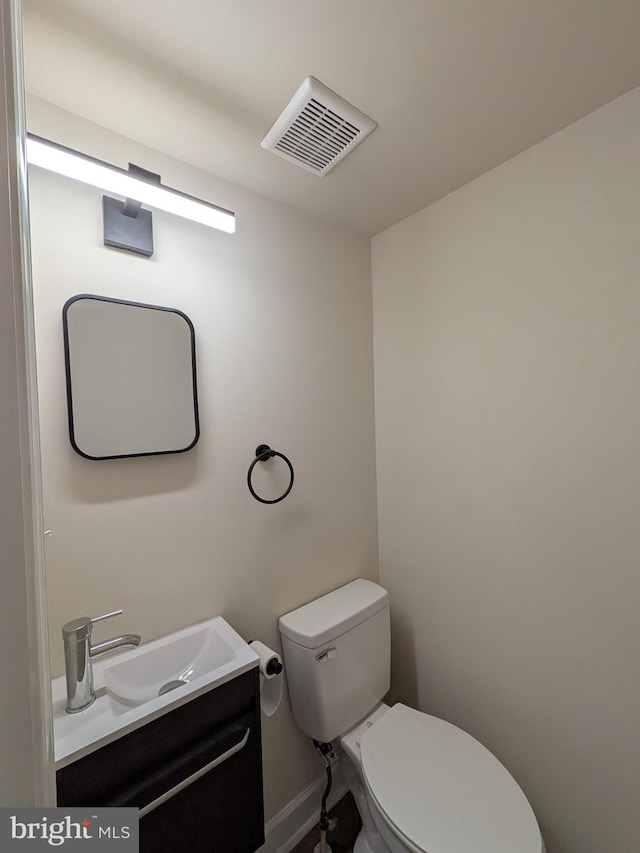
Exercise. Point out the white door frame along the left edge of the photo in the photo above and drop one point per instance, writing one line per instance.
(26, 740)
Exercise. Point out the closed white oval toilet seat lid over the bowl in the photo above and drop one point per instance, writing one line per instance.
(438, 789)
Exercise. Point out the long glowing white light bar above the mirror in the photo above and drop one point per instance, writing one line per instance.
(65, 161)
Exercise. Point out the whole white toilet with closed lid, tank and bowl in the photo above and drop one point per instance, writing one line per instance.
(421, 784)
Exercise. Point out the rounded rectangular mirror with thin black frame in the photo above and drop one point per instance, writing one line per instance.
(131, 378)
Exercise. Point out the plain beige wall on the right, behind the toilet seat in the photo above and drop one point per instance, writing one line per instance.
(507, 360)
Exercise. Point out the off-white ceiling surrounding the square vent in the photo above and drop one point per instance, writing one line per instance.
(455, 86)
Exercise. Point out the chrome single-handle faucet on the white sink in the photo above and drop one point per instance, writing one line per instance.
(78, 651)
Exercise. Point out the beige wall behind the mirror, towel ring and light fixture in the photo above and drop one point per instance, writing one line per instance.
(282, 312)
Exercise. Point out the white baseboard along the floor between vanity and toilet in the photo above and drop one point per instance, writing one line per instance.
(292, 823)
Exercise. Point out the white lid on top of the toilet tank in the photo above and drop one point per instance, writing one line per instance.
(316, 623)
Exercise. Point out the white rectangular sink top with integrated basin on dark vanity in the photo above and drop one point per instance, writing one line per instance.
(140, 685)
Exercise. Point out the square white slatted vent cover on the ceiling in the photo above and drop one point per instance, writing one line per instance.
(317, 128)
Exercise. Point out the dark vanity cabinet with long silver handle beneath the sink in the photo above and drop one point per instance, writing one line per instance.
(195, 774)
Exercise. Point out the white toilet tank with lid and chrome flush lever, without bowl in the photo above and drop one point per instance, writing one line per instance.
(337, 658)
